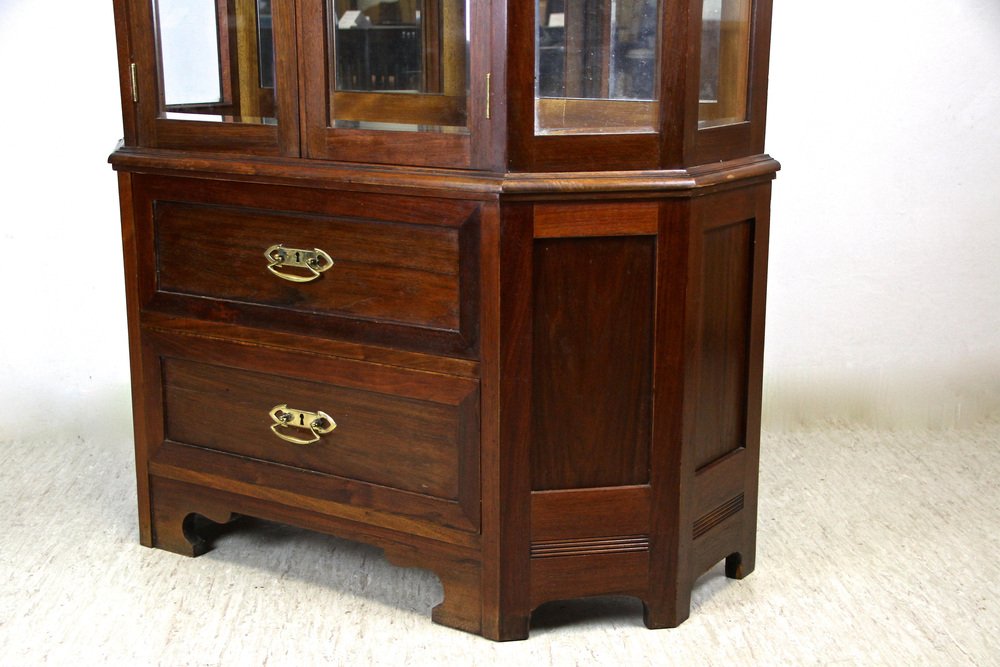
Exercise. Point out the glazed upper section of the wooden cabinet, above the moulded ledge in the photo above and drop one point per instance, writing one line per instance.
(495, 86)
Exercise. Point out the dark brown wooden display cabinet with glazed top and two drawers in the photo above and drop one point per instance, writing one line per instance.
(478, 282)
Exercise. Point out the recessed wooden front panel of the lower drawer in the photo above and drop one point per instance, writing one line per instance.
(400, 442)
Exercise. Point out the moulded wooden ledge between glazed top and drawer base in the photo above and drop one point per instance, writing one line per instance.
(446, 182)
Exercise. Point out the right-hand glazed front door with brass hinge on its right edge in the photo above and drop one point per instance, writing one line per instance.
(400, 82)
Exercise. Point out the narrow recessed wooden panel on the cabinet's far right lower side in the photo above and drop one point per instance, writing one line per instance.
(727, 279)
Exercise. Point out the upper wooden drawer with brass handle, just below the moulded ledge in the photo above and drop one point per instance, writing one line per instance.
(391, 270)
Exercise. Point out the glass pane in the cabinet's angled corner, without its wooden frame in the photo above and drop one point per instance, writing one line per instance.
(596, 66)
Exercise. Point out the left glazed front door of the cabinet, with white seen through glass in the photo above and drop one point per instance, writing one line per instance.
(213, 74)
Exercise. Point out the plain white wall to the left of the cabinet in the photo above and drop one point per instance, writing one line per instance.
(63, 344)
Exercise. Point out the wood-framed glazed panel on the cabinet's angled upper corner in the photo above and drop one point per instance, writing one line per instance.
(587, 83)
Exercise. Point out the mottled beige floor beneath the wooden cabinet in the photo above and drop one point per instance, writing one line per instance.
(873, 549)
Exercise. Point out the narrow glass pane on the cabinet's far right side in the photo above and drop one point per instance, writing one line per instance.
(725, 57)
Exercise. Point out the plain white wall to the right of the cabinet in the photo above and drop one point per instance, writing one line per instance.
(884, 290)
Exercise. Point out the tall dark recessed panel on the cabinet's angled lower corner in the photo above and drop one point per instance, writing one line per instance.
(591, 361)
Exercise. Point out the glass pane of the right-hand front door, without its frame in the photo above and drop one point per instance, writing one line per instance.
(399, 64)
